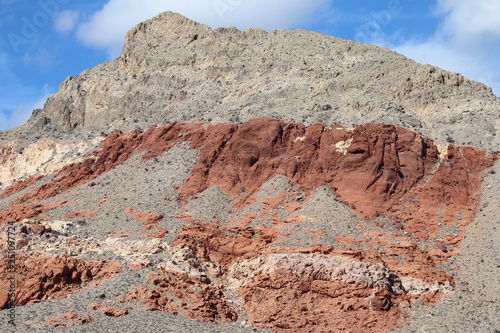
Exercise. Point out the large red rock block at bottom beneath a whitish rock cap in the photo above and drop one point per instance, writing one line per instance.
(286, 302)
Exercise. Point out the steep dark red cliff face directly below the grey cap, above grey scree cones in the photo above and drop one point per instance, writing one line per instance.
(371, 167)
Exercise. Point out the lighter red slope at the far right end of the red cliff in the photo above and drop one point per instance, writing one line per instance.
(448, 197)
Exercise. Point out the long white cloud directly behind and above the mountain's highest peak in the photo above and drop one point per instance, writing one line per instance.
(107, 28)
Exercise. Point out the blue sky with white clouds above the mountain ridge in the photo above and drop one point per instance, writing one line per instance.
(44, 41)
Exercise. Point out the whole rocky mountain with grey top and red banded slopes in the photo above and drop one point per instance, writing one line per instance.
(244, 181)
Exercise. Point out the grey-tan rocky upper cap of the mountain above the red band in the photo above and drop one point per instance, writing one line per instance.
(174, 69)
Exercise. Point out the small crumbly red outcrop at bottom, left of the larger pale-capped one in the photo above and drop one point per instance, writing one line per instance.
(198, 299)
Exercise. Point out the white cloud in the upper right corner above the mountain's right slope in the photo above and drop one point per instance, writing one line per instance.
(467, 41)
